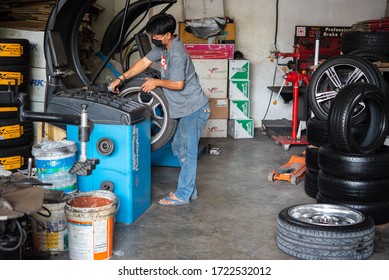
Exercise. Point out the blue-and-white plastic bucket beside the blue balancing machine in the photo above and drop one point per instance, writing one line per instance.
(53, 160)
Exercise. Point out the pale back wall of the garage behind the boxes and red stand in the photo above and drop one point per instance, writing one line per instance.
(255, 25)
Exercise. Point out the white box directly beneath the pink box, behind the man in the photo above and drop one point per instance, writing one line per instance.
(211, 68)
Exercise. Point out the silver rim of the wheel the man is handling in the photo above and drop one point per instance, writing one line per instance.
(157, 107)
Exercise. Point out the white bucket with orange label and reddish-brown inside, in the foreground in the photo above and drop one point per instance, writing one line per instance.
(90, 218)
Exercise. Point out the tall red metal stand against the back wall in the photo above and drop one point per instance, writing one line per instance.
(295, 78)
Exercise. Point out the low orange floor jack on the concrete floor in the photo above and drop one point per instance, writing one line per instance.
(293, 171)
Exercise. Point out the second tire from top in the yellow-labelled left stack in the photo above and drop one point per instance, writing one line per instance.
(8, 74)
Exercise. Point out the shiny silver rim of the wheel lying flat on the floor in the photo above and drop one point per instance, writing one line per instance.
(325, 214)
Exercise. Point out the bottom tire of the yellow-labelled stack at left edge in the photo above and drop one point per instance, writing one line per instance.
(16, 157)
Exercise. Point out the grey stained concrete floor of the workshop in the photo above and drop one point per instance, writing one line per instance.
(235, 215)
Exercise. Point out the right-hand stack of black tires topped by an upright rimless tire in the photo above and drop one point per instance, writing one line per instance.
(354, 171)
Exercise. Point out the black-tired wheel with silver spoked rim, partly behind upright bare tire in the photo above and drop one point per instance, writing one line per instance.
(335, 73)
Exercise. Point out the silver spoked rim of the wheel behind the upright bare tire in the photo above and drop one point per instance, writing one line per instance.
(330, 82)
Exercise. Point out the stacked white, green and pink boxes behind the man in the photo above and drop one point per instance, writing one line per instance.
(224, 80)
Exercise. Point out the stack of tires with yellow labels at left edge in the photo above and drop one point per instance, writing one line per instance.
(16, 138)
